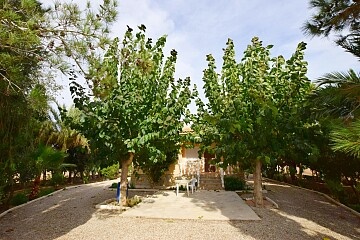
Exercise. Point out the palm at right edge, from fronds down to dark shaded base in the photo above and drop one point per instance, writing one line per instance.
(338, 96)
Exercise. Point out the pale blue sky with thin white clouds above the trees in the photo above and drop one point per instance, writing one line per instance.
(196, 28)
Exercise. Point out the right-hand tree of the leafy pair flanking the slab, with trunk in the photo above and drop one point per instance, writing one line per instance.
(249, 103)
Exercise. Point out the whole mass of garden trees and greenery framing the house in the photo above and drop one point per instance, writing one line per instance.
(259, 112)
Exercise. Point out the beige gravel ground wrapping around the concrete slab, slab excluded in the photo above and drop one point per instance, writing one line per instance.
(71, 214)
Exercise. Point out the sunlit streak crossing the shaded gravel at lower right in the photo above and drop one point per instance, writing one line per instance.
(311, 227)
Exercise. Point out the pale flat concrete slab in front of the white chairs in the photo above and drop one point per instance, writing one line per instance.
(207, 205)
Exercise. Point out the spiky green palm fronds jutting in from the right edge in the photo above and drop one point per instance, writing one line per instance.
(337, 97)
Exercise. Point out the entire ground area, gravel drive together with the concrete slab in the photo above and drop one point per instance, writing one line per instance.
(71, 214)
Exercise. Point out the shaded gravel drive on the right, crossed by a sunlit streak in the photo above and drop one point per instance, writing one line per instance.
(308, 214)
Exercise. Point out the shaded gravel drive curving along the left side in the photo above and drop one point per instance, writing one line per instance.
(56, 214)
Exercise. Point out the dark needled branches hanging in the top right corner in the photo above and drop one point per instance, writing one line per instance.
(336, 16)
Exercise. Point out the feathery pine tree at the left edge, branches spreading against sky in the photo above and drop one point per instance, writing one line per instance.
(34, 41)
